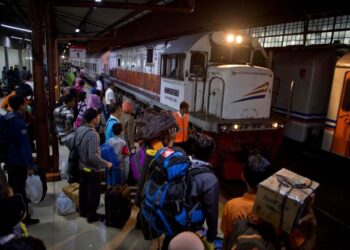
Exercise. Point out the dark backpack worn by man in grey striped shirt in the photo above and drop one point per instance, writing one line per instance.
(73, 161)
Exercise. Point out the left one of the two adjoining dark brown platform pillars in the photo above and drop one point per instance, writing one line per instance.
(36, 13)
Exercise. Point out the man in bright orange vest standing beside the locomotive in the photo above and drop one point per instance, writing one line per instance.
(182, 120)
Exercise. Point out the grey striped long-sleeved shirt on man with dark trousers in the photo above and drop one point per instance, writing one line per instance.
(89, 149)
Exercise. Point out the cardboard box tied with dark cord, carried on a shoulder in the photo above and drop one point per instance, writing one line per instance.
(282, 198)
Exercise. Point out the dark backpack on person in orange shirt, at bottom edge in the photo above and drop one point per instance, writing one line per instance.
(249, 235)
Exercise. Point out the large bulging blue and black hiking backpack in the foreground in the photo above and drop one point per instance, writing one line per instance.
(165, 205)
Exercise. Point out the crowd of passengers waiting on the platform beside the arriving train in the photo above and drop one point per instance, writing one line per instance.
(101, 116)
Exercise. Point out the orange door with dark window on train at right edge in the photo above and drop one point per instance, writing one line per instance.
(341, 141)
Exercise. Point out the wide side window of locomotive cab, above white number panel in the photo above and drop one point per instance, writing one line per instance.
(173, 66)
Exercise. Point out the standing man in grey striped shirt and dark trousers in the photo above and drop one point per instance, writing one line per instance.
(90, 163)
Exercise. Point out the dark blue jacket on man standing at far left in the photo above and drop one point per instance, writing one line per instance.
(19, 152)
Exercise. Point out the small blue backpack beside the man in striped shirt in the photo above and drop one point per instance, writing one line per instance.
(114, 176)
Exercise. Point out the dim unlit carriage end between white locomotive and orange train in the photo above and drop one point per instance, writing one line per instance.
(309, 71)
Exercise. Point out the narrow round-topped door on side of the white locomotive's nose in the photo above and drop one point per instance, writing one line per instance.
(215, 100)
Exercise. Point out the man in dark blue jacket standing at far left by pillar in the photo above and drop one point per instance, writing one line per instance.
(19, 159)
